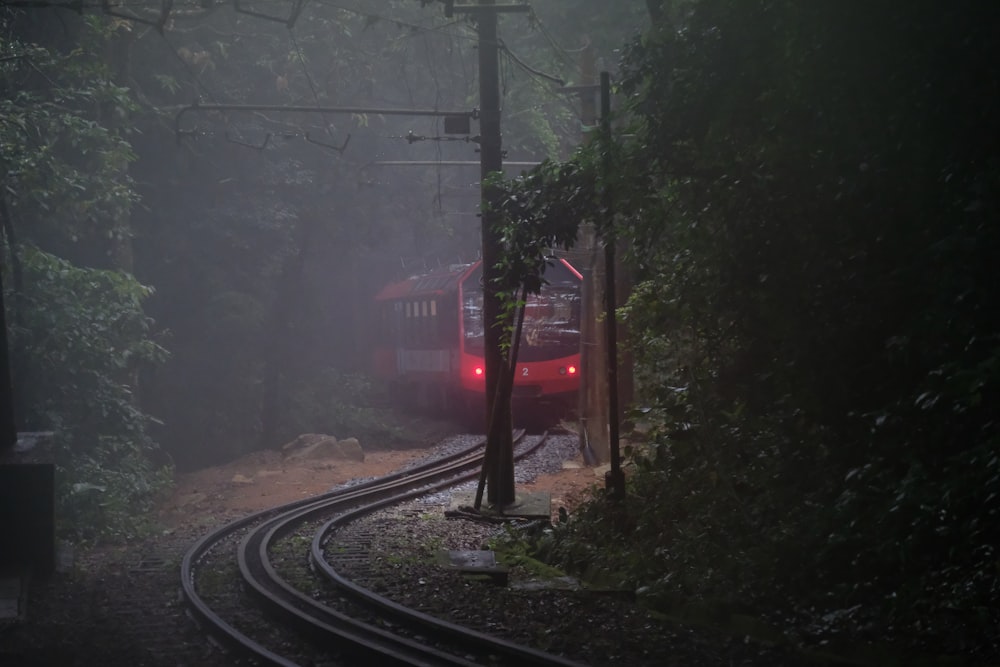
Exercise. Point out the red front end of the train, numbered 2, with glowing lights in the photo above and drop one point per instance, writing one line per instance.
(547, 375)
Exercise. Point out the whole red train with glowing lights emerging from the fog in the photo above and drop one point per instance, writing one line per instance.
(430, 341)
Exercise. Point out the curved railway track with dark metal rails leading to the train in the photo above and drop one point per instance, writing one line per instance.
(265, 588)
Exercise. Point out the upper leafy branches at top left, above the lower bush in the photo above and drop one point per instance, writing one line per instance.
(64, 168)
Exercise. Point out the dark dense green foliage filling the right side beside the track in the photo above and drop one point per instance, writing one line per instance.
(811, 199)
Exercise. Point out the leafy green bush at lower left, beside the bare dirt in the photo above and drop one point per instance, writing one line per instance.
(84, 335)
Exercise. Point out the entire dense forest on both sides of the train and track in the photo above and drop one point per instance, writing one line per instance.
(807, 196)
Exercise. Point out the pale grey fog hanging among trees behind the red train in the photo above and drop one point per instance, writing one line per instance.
(264, 233)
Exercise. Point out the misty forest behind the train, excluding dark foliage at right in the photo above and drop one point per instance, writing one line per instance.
(187, 286)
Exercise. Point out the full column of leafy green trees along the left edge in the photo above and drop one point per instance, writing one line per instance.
(78, 334)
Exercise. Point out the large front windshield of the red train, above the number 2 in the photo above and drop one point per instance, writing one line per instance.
(551, 322)
